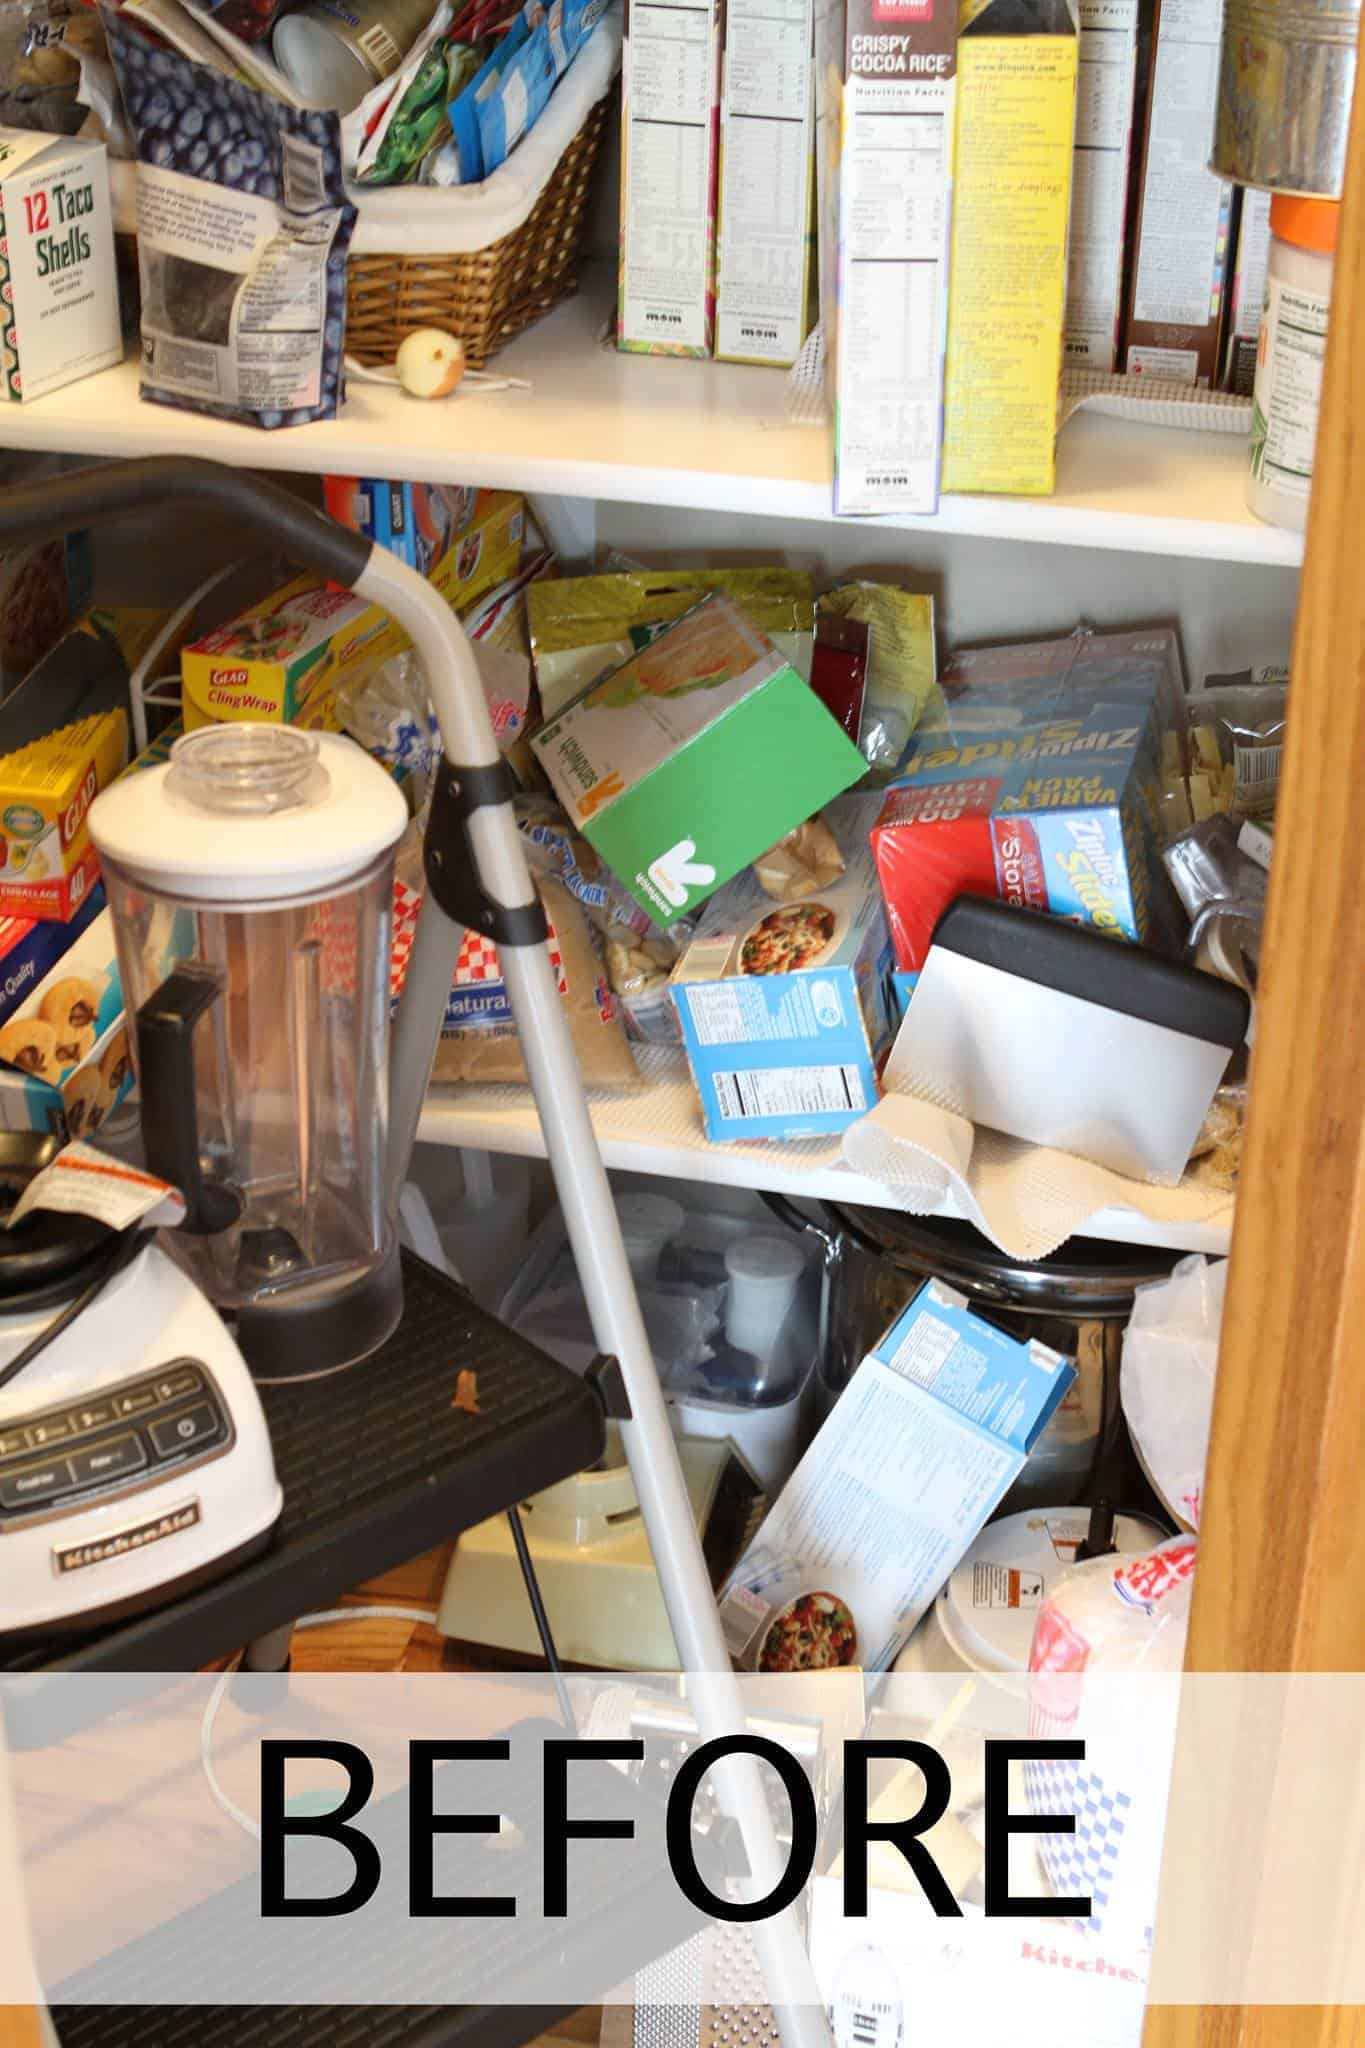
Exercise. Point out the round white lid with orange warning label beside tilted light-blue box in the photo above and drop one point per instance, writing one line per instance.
(989, 1607)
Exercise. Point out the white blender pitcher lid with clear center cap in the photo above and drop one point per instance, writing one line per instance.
(251, 810)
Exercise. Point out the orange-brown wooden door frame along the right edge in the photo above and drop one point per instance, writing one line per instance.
(1282, 1545)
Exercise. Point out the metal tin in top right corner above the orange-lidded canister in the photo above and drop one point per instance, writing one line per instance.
(1284, 95)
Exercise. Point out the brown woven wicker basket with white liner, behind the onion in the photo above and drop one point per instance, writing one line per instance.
(492, 294)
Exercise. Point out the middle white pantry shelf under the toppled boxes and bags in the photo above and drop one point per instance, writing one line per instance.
(660, 1132)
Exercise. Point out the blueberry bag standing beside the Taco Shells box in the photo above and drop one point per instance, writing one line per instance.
(243, 234)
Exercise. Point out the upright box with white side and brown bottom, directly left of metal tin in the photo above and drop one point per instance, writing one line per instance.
(1178, 286)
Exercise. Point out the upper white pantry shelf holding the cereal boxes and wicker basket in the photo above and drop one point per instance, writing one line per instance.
(703, 437)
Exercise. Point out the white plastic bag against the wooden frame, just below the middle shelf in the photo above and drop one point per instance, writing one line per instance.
(1168, 1379)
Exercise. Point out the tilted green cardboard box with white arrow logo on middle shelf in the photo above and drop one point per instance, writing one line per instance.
(695, 757)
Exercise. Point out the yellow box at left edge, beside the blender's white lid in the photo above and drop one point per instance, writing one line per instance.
(46, 792)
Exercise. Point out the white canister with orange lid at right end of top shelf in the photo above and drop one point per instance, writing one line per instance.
(1284, 421)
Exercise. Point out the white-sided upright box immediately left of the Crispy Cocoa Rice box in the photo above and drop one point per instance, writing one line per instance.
(764, 237)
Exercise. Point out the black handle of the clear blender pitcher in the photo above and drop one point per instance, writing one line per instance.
(167, 1076)
